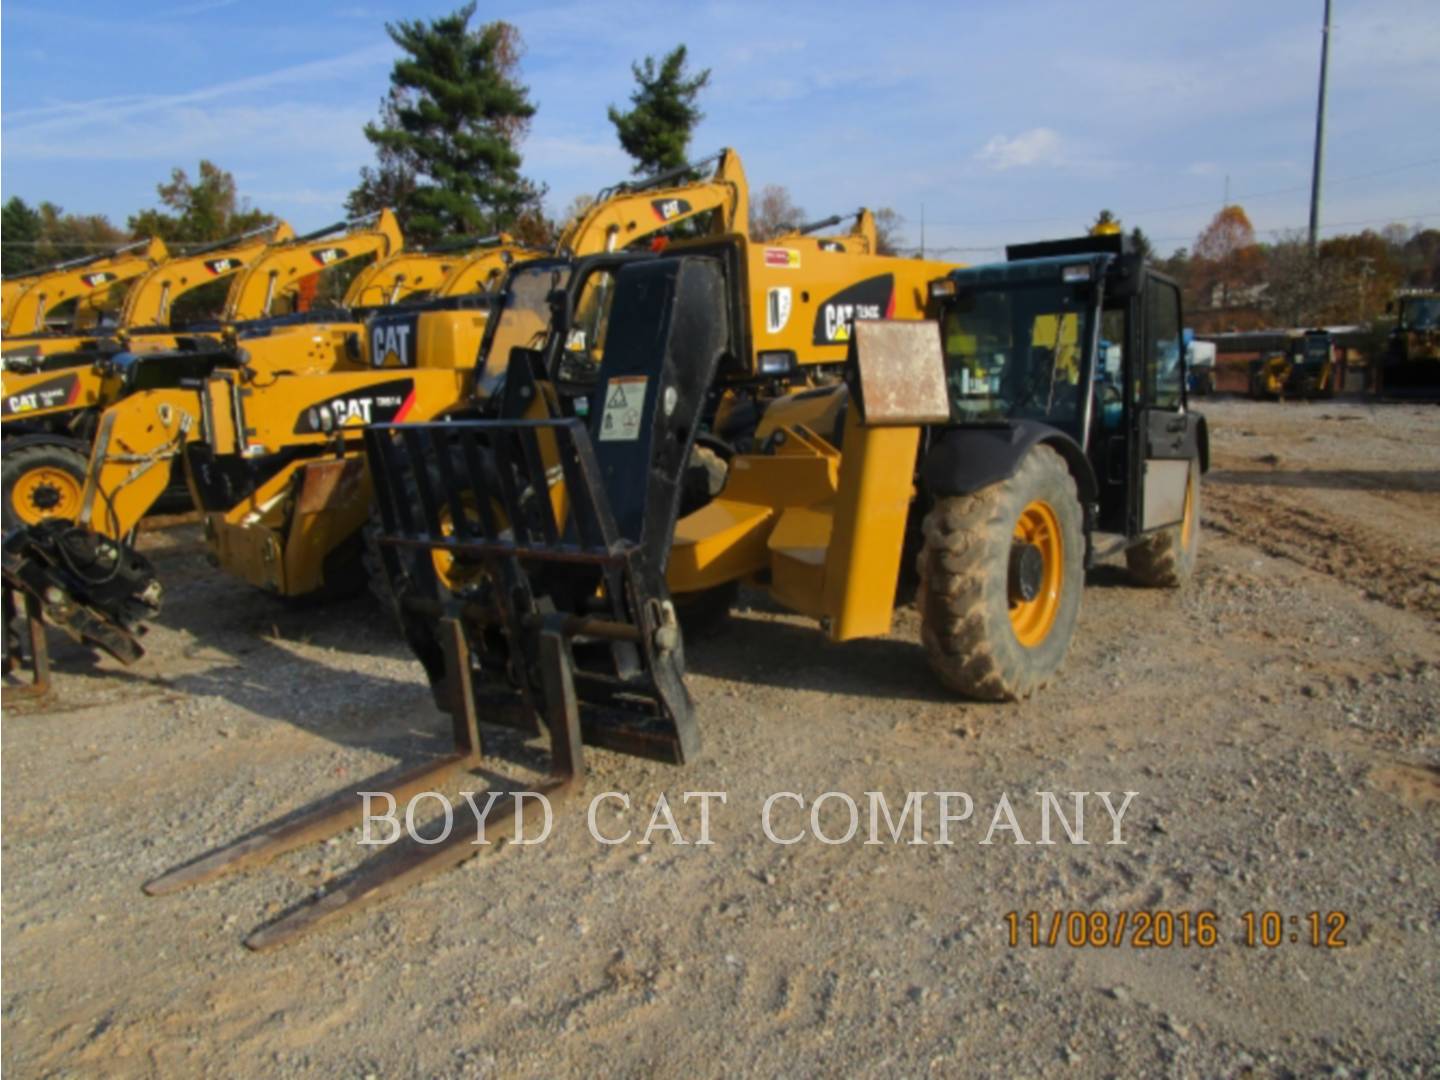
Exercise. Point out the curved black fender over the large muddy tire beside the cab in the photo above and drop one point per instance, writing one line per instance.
(966, 460)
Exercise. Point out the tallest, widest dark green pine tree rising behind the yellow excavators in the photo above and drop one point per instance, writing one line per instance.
(449, 130)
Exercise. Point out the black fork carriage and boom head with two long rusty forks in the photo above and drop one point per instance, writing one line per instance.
(528, 561)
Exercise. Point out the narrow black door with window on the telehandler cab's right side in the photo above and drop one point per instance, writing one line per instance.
(1166, 433)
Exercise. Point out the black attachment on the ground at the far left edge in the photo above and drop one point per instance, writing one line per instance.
(96, 590)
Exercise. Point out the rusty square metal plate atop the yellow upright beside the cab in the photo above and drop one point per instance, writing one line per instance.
(902, 372)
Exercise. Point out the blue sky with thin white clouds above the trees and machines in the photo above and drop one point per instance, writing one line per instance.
(993, 122)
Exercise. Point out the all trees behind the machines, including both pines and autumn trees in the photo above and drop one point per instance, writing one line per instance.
(449, 162)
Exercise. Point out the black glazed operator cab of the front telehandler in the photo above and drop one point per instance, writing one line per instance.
(1078, 343)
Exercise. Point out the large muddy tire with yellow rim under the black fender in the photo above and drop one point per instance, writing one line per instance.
(981, 637)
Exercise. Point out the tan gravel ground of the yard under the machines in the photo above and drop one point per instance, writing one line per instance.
(1278, 721)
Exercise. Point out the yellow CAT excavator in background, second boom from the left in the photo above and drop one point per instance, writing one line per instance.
(152, 300)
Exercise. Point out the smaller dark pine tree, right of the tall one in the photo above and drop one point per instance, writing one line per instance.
(663, 113)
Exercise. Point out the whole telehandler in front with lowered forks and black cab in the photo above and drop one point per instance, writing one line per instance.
(538, 554)
